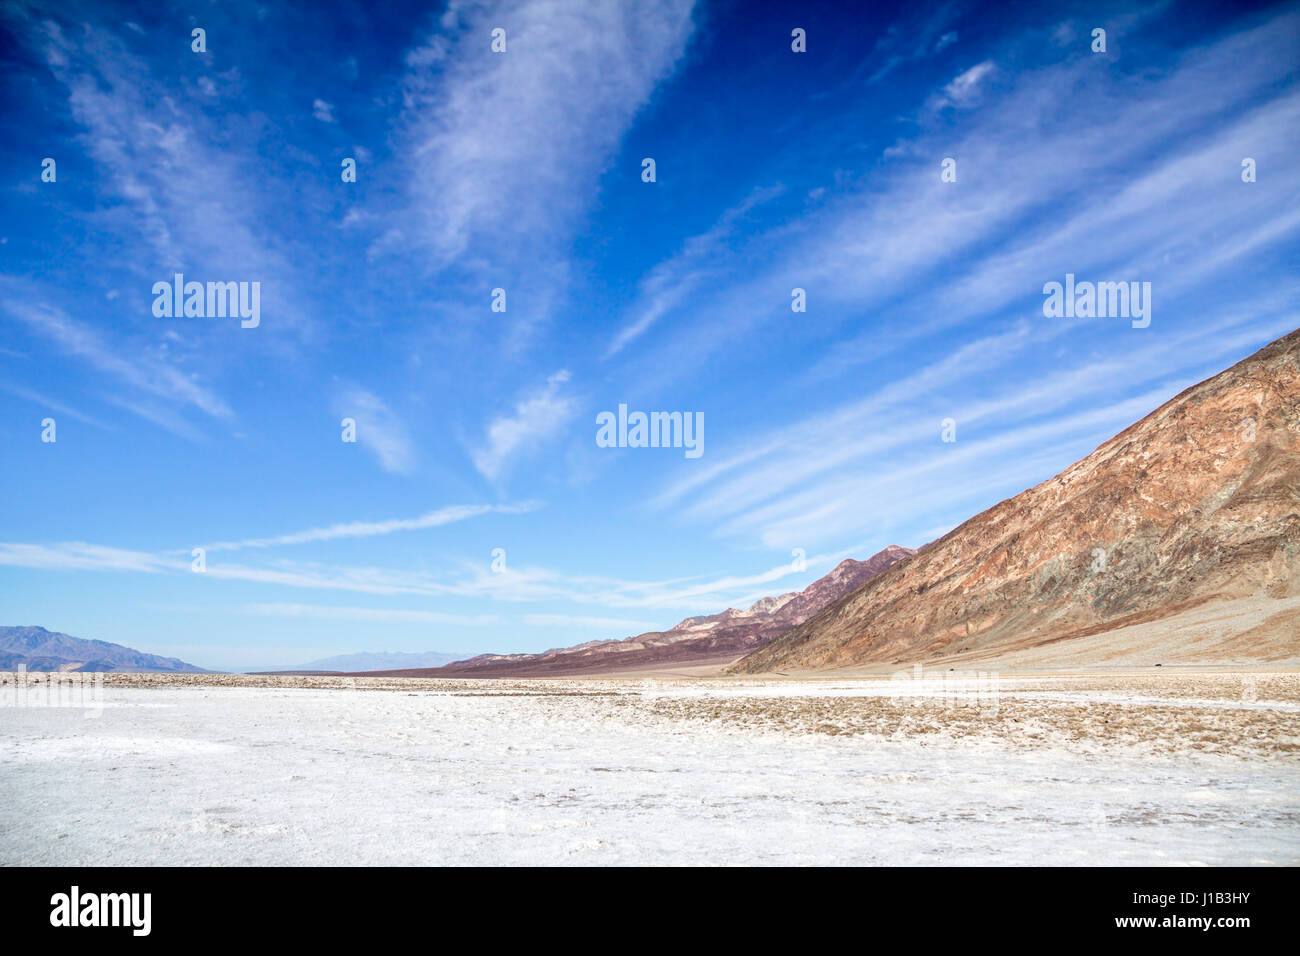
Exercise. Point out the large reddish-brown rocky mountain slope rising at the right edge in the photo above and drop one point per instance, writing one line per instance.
(1199, 503)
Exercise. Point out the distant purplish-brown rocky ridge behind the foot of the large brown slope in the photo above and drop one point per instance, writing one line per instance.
(716, 638)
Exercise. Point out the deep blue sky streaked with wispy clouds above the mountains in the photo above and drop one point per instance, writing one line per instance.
(523, 171)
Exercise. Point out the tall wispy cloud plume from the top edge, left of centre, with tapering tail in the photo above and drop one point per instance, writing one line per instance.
(491, 187)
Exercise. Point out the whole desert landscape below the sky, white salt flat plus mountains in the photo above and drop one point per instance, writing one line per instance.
(1102, 669)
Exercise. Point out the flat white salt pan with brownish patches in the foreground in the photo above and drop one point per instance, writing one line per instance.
(1121, 769)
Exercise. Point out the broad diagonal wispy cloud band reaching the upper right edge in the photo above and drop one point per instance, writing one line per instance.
(934, 256)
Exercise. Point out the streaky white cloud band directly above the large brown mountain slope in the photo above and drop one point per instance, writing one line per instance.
(808, 483)
